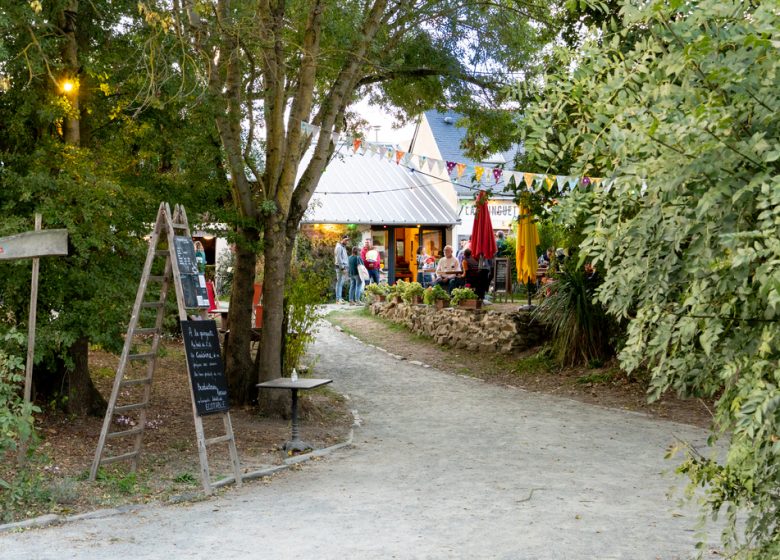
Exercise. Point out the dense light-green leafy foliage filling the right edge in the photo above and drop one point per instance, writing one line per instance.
(684, 124)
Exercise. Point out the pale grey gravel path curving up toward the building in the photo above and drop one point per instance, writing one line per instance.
(442, 466)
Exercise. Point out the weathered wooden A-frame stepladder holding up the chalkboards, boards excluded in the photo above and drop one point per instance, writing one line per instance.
(129, 380)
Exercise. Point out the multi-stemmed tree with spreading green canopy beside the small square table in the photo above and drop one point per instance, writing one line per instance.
(277, 63)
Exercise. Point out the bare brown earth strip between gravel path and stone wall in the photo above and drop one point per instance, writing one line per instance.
(607, 386)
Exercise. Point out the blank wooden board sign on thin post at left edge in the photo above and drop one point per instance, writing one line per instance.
(31, 245)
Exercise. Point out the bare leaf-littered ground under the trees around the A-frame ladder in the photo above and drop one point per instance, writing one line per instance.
(169, 463)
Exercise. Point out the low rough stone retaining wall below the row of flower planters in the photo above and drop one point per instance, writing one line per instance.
(497, 331)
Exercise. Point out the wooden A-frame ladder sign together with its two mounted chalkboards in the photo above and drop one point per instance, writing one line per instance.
(133, 382)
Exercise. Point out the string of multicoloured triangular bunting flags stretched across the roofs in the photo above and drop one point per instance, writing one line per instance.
(457, 170)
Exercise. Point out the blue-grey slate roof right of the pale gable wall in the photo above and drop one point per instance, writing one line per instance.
(449, 138)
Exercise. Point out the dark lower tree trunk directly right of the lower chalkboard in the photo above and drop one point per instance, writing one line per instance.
(238, 361)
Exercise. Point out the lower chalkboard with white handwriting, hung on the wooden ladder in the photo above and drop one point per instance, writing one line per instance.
(204, 362)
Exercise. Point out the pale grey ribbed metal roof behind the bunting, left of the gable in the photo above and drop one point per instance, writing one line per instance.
(366, 189)
